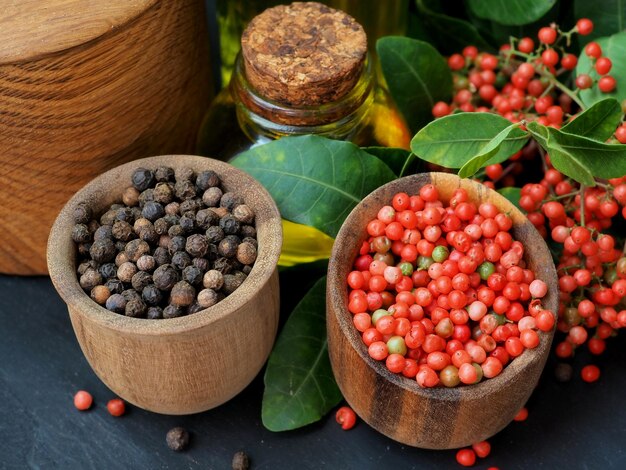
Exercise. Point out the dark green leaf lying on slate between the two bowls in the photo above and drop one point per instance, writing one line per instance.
(299, 384)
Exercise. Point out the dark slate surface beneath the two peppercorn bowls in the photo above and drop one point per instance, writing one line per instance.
(573, 425)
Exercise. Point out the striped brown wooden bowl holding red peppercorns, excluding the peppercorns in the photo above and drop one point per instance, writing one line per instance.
(434, 418)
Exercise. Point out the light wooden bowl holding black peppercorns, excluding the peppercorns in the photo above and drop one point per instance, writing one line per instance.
(187, 364)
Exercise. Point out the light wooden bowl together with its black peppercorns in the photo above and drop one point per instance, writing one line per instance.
(183, 358)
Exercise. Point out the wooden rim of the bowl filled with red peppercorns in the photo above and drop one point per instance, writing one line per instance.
(337, 293)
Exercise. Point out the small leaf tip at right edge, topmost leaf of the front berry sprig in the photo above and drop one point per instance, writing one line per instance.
(597, 122)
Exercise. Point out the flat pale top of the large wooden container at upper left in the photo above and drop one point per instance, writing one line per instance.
(33, 28)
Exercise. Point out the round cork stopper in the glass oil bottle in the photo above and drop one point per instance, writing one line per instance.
(303, 54)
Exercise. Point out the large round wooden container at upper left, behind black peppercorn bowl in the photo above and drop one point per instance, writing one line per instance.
(86, 86)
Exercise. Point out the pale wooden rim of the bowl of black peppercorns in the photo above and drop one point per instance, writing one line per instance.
(62, 268)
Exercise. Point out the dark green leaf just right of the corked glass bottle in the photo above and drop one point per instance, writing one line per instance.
(417, 76)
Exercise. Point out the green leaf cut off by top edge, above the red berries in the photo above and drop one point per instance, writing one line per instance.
(510, 12)
